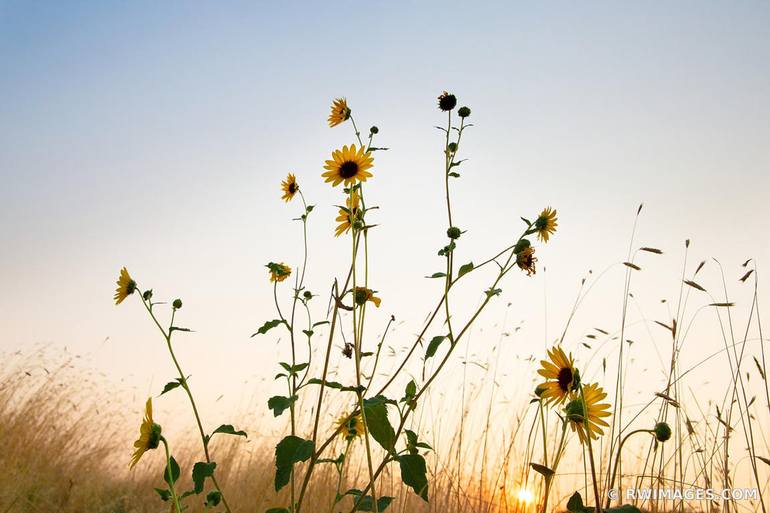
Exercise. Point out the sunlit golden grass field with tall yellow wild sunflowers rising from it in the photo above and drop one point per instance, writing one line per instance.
(447, 429)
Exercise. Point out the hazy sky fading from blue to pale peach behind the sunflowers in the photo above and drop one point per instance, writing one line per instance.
(155, 135)
